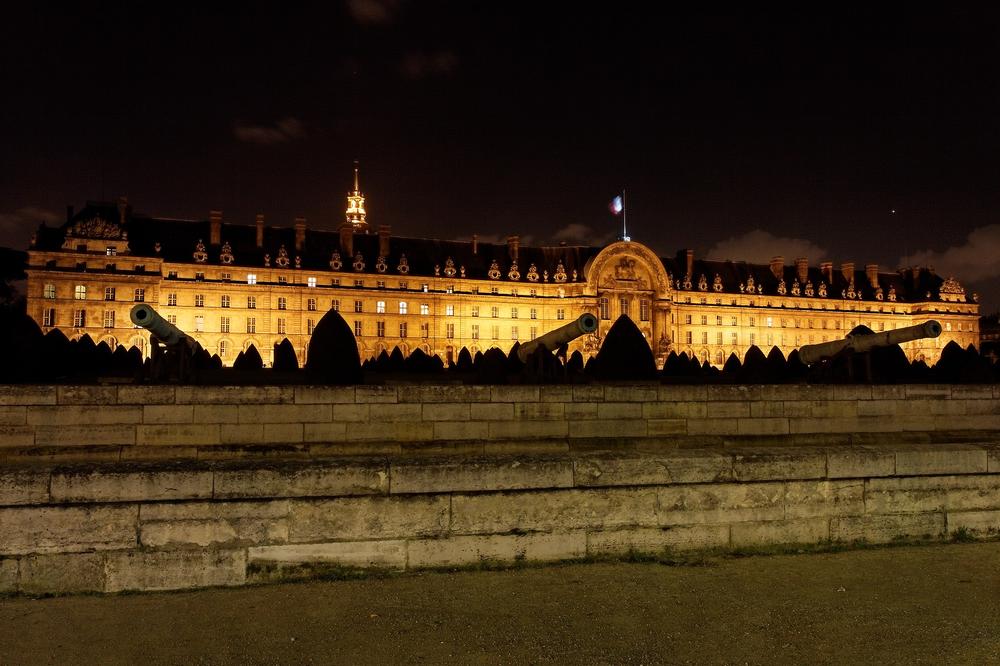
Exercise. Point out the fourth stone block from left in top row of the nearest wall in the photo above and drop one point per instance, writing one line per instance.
(483, 474)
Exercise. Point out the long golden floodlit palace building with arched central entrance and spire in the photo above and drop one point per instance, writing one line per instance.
(232, 283)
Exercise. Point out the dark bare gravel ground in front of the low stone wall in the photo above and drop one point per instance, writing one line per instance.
(931, 604)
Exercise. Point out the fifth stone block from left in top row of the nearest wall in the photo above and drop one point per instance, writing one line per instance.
(650, 470)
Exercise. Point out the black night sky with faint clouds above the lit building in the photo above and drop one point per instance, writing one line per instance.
(741, 135)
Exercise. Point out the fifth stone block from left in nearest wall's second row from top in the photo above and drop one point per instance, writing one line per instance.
(720, 503)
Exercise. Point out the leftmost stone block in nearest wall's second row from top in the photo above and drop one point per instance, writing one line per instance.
(67, 529)
